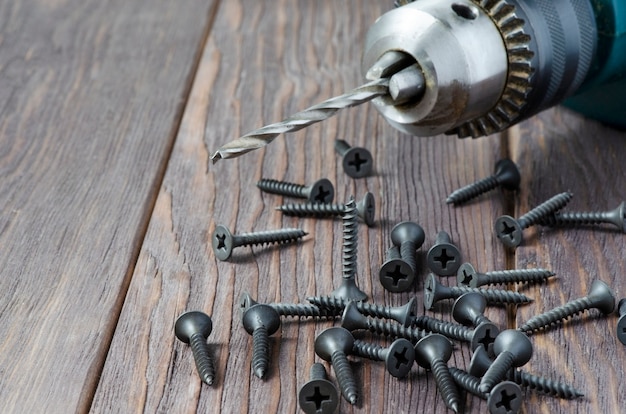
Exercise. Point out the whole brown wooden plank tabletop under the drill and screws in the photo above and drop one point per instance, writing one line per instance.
(110, 111)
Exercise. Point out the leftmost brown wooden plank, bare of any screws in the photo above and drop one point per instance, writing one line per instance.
(91, 96)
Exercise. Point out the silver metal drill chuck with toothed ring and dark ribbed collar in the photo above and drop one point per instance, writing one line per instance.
(486, 64)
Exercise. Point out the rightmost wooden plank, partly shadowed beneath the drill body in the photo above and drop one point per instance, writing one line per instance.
(561, 151)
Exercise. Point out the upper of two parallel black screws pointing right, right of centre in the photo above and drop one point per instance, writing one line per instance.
(468, 276)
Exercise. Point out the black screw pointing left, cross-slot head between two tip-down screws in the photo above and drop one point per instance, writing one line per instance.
(398, 357)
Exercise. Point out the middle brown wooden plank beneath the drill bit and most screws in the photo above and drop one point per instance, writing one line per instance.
(262, 62)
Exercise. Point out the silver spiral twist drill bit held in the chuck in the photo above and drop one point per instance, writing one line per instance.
(324, 110)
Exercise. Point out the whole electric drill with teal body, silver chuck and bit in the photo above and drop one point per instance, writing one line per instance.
(476, 67)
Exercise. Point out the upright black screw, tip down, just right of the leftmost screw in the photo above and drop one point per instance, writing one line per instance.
(260, 321)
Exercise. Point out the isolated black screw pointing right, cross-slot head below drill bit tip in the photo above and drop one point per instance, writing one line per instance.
(223, 241)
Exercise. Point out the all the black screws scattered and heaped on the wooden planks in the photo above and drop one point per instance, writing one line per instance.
(492, 373)
